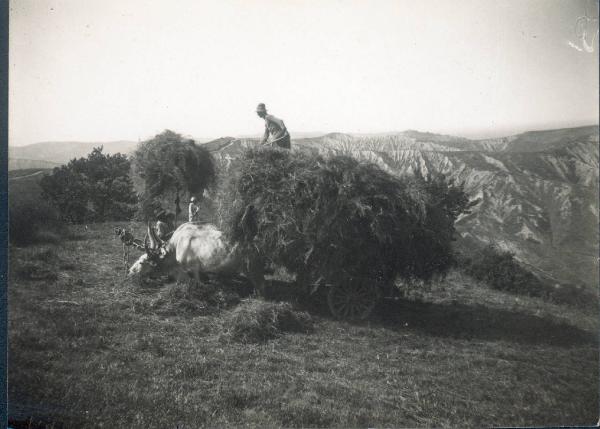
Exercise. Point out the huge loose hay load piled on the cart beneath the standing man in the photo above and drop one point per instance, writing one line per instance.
(329, 217)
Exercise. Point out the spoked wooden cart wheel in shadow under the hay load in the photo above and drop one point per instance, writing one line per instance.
(353, 299)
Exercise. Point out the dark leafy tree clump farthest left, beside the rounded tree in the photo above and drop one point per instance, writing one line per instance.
(96, 188)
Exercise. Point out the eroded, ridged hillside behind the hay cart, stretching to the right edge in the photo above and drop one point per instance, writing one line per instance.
(538, 190)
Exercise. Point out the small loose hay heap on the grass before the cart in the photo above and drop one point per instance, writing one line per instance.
(256, 321)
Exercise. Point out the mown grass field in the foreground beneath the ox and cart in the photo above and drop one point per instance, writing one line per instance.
(89, 348)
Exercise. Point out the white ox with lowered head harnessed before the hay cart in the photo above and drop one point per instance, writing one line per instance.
(196, 250)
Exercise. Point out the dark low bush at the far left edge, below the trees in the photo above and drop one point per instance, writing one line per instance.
(34, 221)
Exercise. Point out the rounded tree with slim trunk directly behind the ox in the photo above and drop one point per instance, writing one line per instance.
(171, 166)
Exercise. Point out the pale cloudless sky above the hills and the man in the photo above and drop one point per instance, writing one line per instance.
(102, 70)
